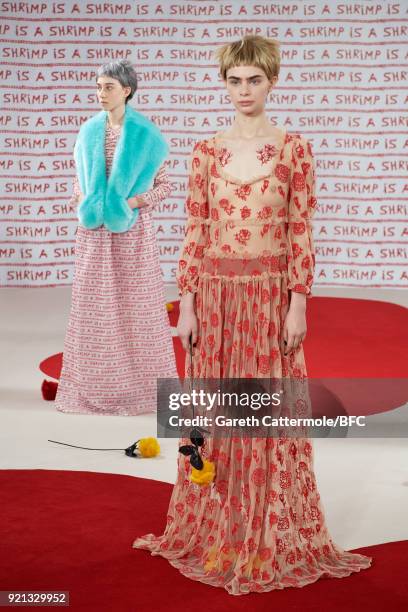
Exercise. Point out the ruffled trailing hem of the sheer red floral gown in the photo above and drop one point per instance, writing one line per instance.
(339, 564)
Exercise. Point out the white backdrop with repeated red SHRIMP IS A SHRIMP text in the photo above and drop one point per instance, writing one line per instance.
(343, 85)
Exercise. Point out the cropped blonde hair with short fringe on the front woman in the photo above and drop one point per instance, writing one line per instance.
(252, 50)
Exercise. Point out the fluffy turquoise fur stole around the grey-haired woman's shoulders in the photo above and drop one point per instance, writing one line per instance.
(139, 153)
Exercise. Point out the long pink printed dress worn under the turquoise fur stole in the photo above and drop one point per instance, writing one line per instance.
(118, 340)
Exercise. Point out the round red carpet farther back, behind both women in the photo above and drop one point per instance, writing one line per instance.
(347, 339)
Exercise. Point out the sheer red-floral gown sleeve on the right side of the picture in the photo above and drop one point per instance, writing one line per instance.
(302, 204)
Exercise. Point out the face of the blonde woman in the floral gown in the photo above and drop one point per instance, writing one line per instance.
(248, 87)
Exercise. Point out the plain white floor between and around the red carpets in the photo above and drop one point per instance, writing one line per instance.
(363, 483)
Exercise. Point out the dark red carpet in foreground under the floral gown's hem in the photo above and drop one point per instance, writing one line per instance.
(73, 531)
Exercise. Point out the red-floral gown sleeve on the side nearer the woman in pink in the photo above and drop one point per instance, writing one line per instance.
(196, 229)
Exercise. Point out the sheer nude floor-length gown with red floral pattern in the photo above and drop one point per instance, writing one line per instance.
(260, 525)
